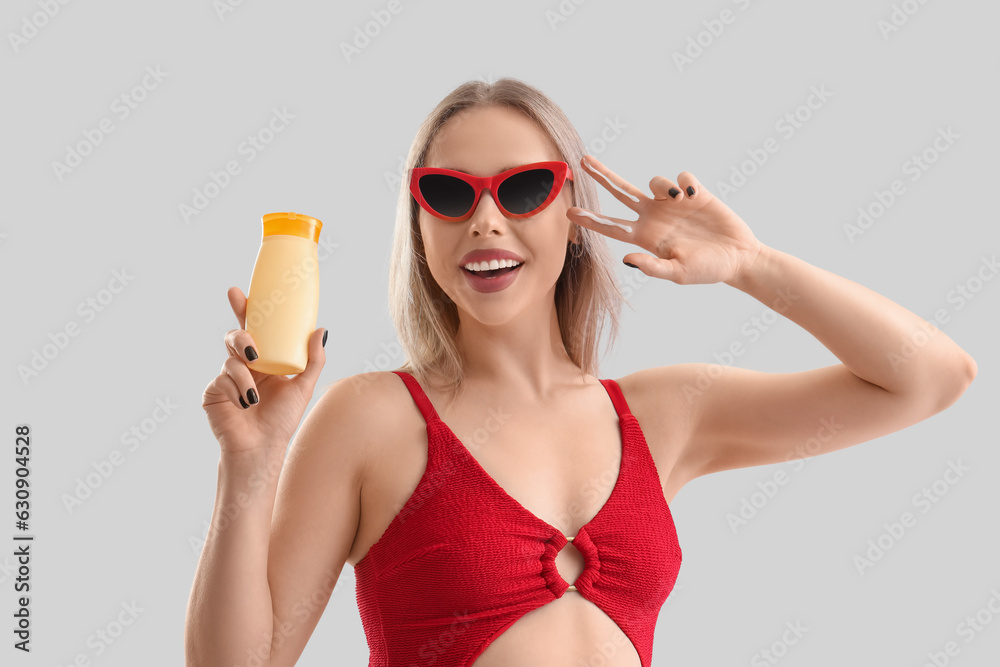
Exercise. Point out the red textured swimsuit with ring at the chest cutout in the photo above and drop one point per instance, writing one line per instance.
(462, 561)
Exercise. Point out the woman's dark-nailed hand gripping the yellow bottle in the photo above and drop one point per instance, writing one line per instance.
(275, 403)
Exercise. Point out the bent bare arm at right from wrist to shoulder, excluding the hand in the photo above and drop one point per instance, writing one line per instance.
(897, 369)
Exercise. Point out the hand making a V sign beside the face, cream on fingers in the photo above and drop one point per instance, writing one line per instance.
(694, 238)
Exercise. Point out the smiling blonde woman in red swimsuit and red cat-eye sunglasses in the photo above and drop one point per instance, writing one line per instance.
(500, 504)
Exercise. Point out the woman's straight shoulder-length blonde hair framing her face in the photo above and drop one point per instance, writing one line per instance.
(587, 292)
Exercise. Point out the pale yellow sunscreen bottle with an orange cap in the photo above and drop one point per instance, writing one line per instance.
(283, 301)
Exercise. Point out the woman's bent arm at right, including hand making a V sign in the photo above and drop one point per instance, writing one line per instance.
(896, 370)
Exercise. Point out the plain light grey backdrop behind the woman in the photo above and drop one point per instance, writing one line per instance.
(137, 537)
